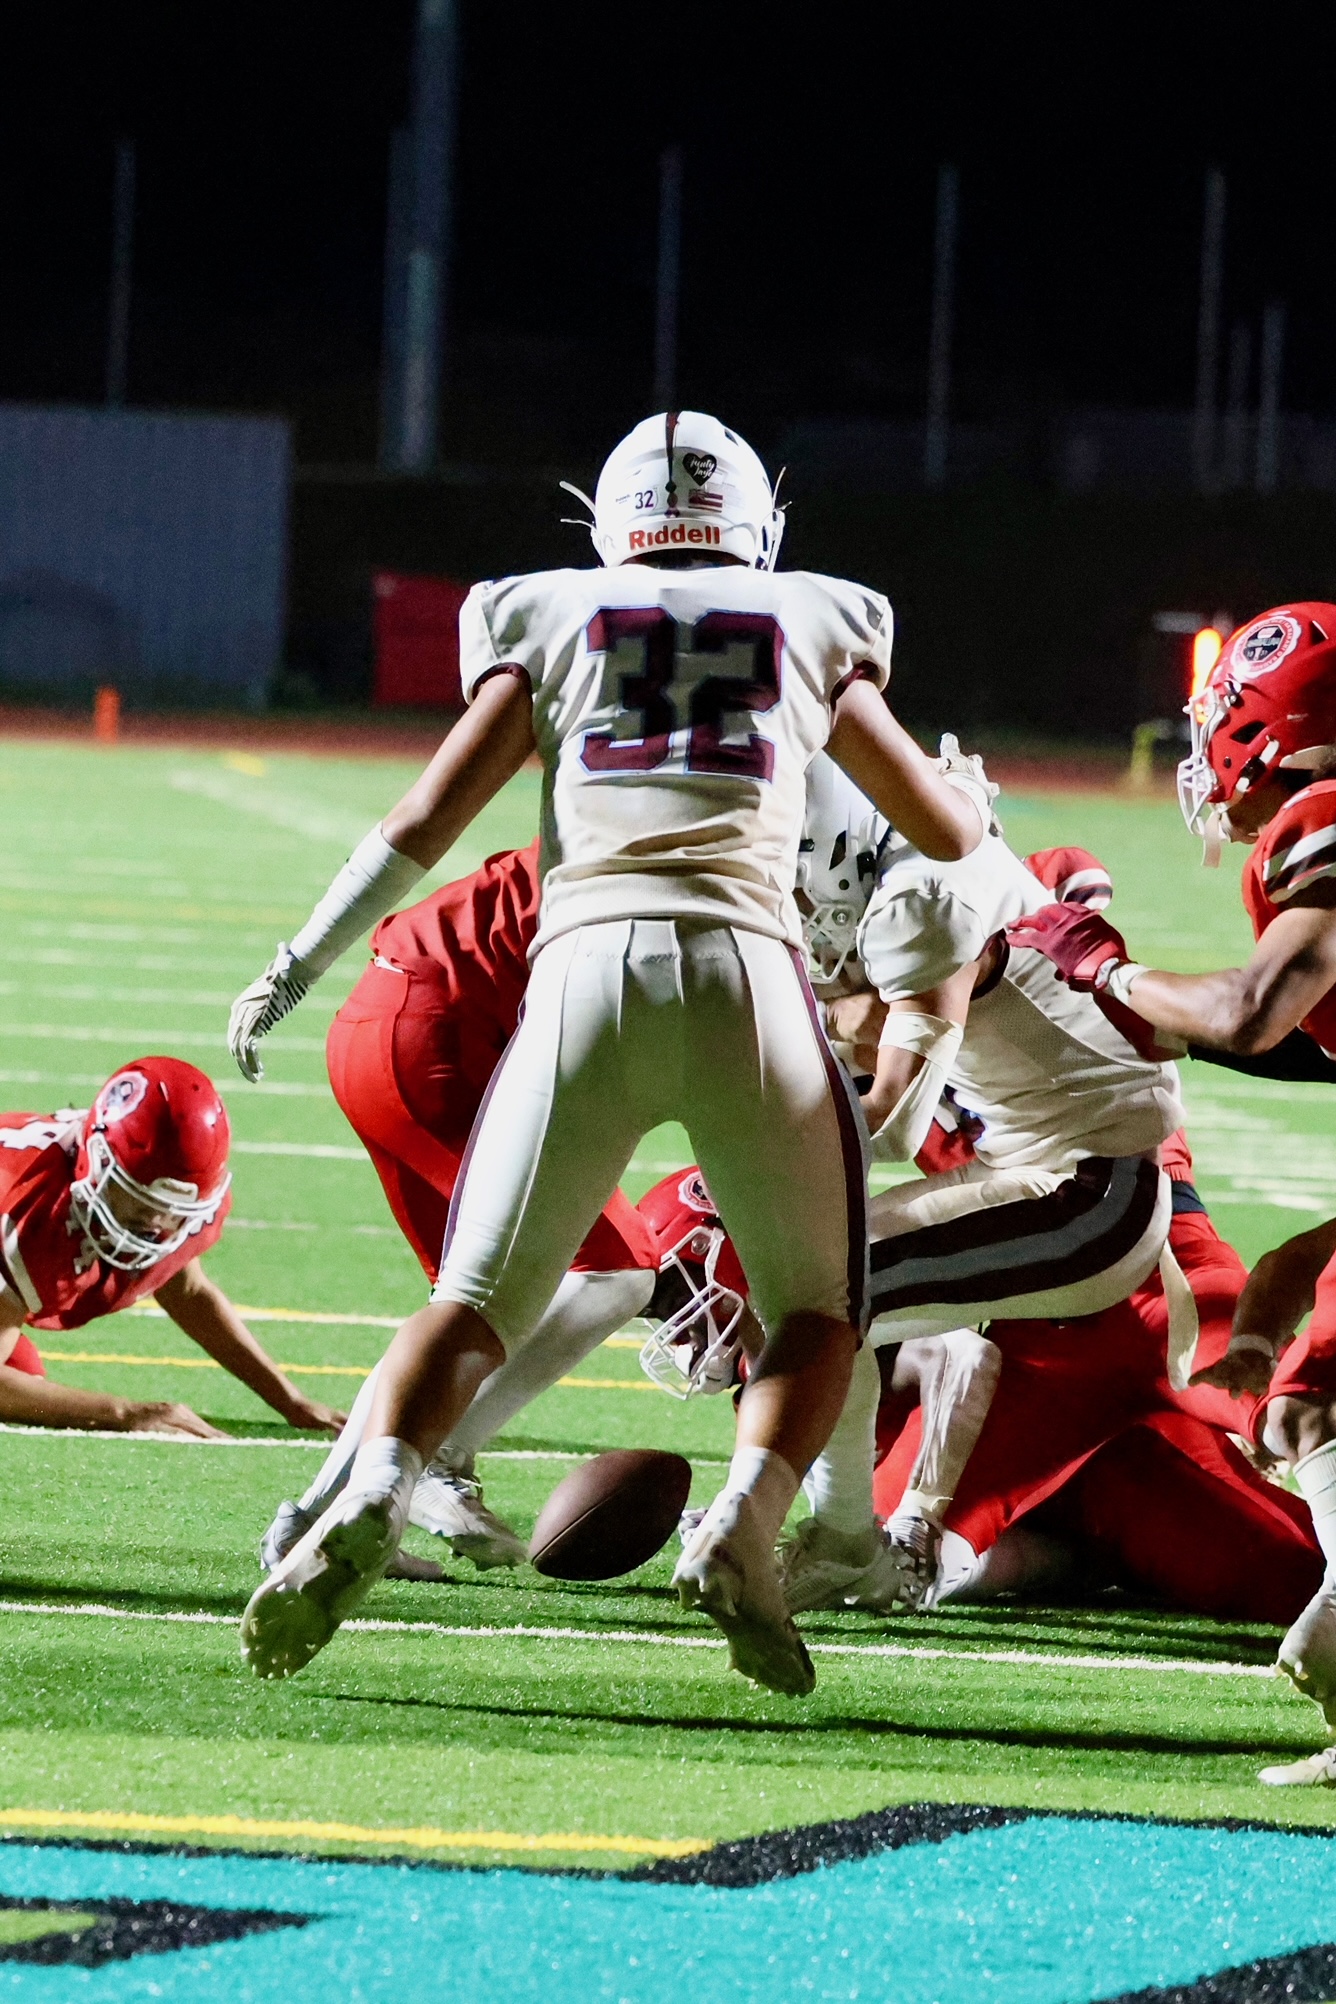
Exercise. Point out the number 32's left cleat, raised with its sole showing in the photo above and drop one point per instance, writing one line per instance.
(319, 1584)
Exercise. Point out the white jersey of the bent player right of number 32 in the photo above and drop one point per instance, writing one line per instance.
(1043, 1067)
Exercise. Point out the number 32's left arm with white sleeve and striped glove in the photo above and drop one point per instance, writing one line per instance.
(476, 761)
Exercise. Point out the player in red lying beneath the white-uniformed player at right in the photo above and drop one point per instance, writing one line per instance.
(1089, 1454)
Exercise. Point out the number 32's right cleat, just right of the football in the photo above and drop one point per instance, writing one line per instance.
(730, 1576)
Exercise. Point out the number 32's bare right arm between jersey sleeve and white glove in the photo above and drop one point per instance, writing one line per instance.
(882, 759)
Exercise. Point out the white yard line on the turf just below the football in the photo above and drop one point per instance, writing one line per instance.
(526, 1632)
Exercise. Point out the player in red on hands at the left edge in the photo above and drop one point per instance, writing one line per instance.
(115, 1205)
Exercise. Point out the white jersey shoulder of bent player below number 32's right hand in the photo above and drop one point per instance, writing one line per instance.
(928, 921)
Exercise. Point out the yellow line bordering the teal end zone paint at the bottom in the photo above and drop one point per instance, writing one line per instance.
(424, 1841)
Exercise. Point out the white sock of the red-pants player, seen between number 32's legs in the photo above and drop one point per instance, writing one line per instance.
(584, 1312)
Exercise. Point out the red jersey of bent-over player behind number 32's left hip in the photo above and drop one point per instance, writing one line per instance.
(474, 937)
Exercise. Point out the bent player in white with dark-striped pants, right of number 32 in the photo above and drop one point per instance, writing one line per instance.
(1065, 1207)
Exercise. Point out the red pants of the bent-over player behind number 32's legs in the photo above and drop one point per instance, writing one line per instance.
(410, 1065)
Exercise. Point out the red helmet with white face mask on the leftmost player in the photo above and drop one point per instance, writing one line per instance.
(151, 1163)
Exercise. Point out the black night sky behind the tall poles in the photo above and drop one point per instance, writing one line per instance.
(812, 141)
